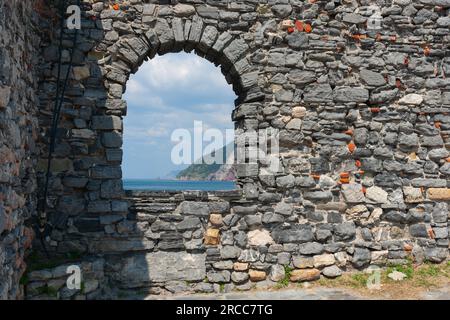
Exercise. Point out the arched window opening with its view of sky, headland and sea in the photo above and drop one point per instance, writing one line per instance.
(178, 132)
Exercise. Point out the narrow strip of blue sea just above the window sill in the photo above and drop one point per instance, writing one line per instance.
(177, 185)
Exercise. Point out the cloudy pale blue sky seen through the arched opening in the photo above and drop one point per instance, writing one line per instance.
(170, 92)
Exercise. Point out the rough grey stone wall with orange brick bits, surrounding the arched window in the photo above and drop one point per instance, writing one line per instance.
(364, 126)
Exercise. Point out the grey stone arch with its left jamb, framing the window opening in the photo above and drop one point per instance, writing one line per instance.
(188, 32)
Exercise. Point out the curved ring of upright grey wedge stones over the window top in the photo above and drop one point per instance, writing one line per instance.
(228, 51)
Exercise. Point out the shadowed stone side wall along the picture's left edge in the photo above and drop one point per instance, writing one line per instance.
(19, 56)
